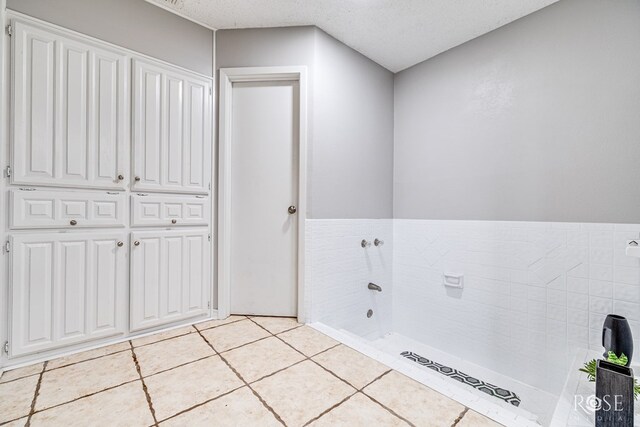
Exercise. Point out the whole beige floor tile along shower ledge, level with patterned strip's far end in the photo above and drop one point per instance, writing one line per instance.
(350, 365)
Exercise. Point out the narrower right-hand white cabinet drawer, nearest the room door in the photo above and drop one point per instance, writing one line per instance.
(152, 210)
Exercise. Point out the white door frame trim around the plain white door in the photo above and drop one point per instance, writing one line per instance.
(228, 76)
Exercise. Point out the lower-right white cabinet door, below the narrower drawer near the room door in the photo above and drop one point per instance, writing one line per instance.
(170, 276)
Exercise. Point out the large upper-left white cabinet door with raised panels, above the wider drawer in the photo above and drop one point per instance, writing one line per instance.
(70, 109)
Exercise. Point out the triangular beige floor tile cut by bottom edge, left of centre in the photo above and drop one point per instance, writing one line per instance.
(238, 409)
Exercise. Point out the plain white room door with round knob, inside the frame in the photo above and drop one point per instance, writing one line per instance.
(264, 185)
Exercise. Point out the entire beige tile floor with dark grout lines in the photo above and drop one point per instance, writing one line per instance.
(258, 371)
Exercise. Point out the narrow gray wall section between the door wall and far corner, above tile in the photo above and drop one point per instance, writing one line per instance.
(352, 173)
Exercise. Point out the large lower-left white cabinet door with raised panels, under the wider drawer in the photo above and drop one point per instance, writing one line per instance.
(66, 289)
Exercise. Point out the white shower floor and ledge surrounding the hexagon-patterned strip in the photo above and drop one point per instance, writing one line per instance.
(537, 406)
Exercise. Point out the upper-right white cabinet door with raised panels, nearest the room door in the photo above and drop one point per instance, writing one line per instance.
(171, 129)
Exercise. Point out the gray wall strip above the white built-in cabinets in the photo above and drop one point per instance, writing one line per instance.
(134, 24)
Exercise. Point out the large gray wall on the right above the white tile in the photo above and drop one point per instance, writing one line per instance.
(538, 120)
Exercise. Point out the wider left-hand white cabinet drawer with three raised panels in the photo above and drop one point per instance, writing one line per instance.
(31, 208)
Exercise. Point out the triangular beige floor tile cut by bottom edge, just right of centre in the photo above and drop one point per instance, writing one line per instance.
(359, 411)
